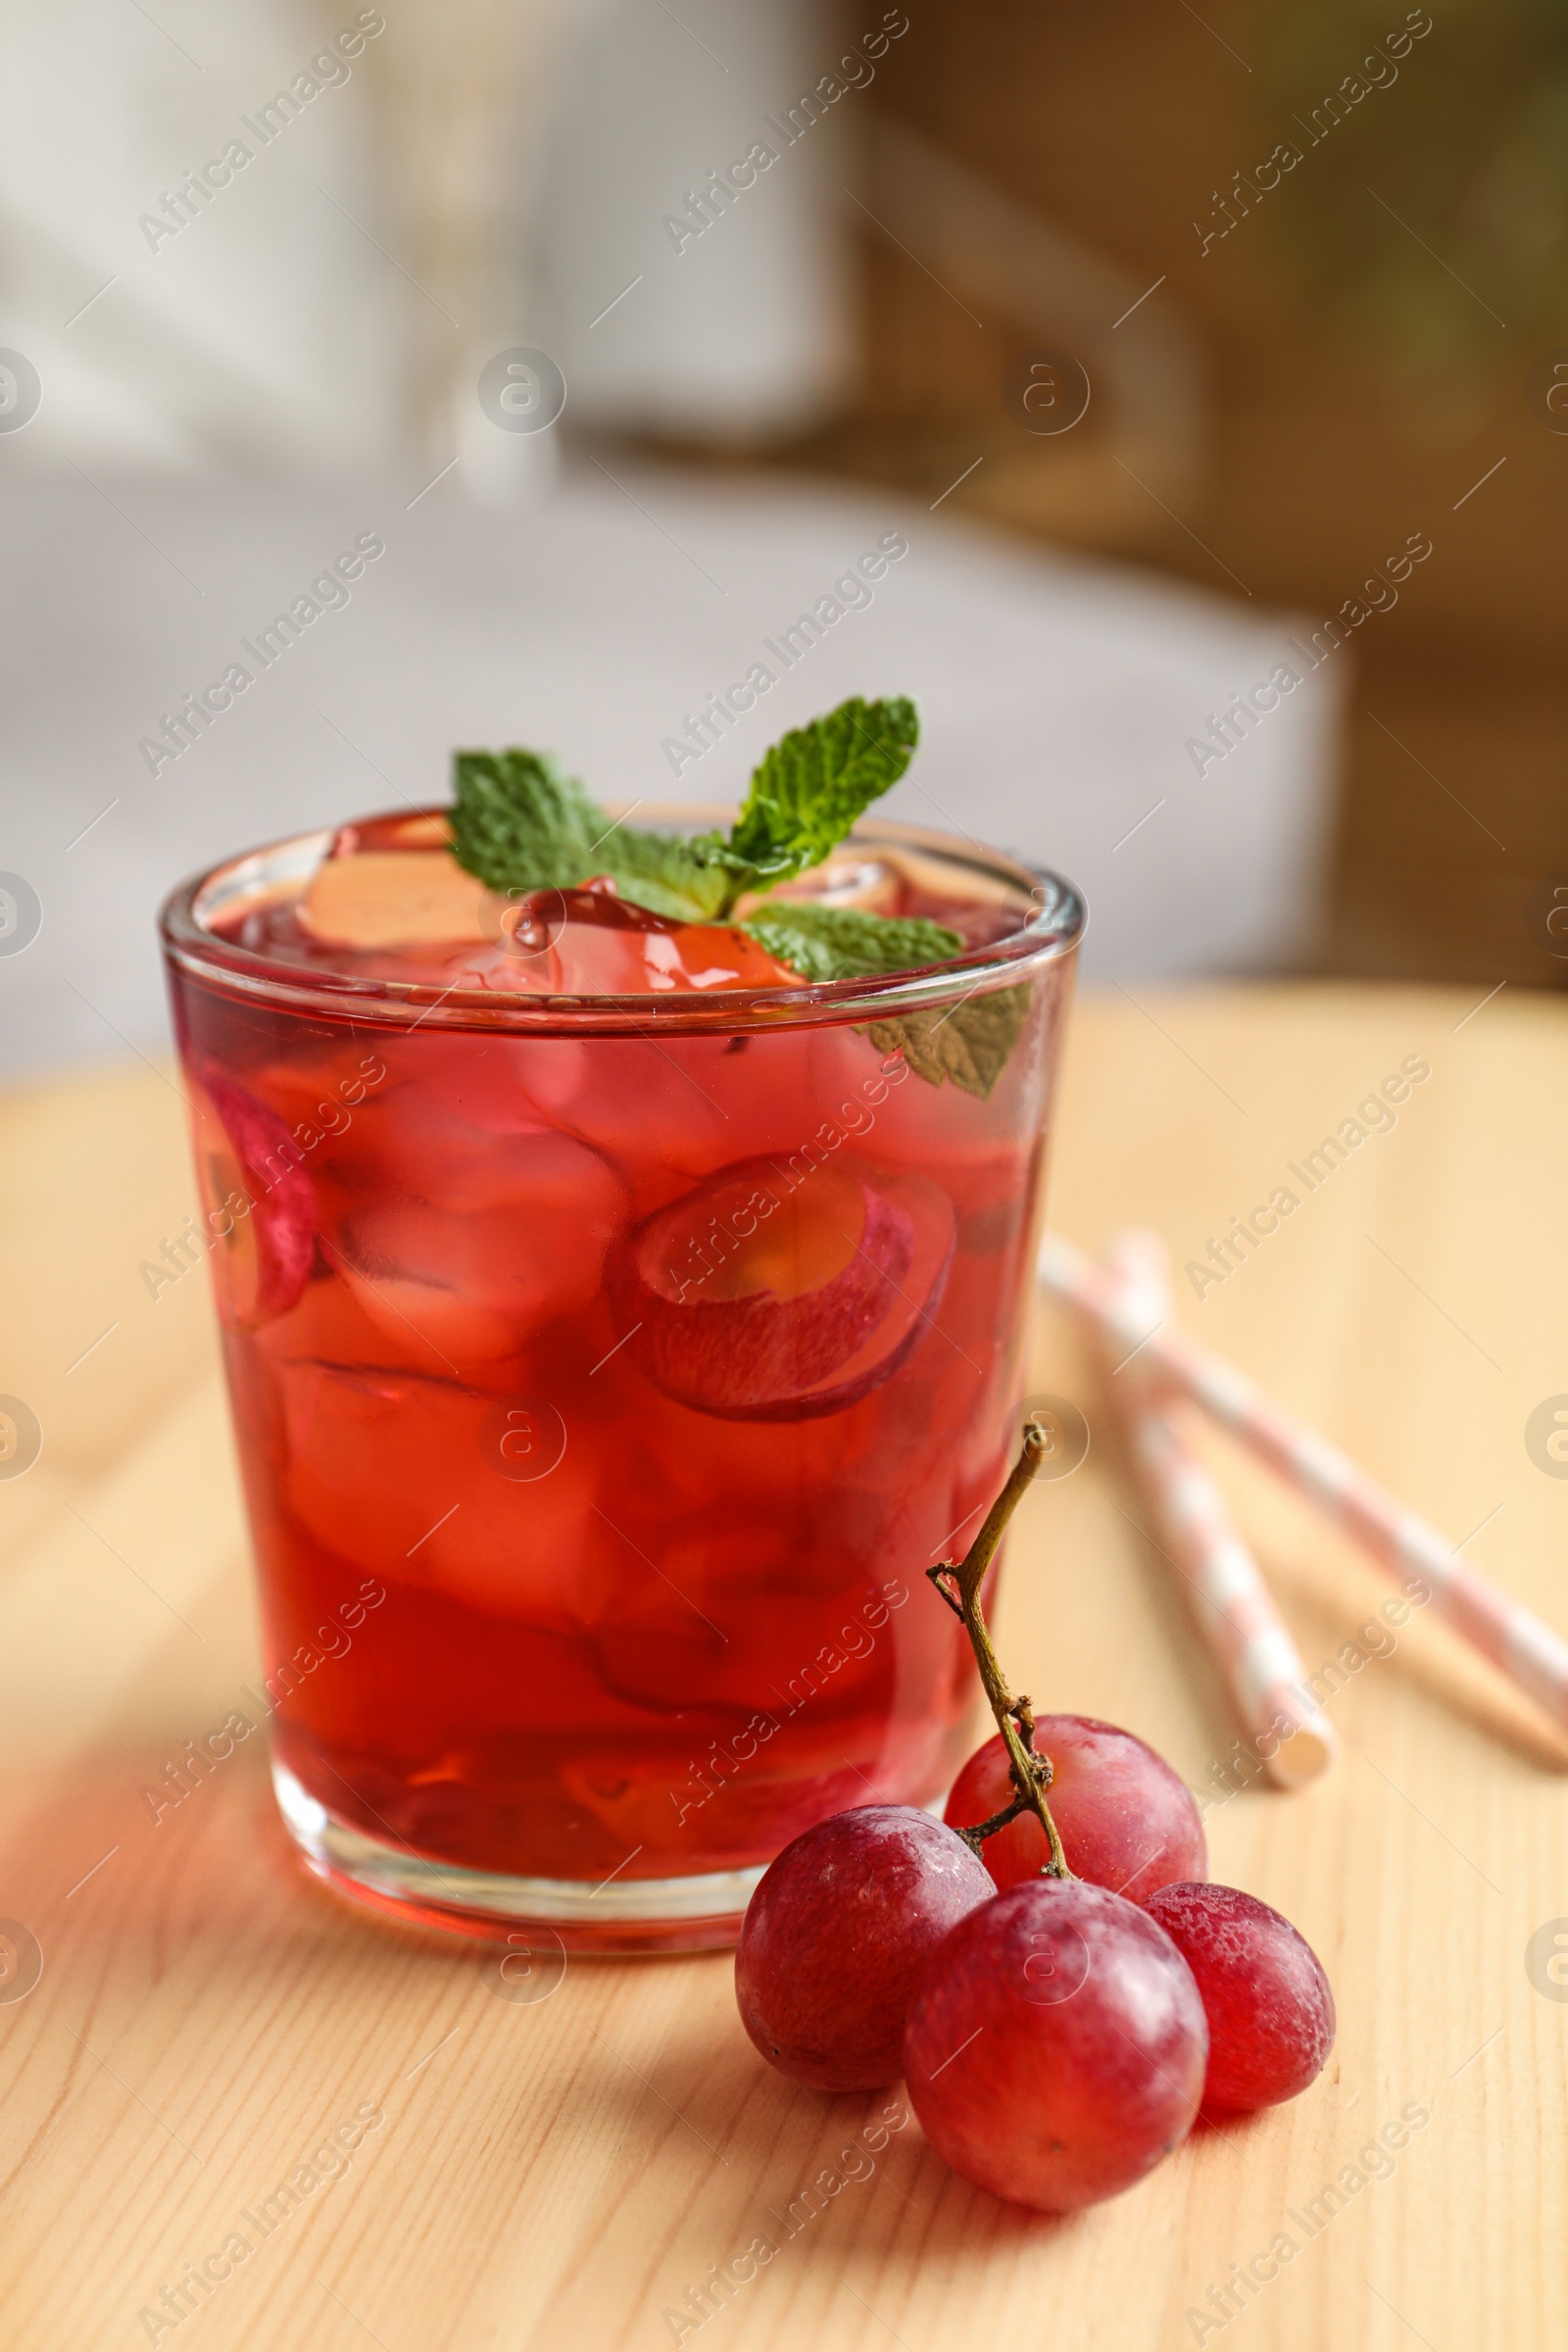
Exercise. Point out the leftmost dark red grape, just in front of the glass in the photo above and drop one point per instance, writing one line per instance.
(838, 1937)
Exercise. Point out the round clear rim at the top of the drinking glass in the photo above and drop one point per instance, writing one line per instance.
(1045, 935)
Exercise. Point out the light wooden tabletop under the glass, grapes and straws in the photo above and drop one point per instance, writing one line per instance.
(558, 2174)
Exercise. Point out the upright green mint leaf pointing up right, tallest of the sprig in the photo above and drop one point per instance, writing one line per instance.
(812, 787)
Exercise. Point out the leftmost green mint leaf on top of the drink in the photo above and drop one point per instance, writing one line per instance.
(521, 822)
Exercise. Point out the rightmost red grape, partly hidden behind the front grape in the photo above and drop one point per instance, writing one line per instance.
(1266, 1996)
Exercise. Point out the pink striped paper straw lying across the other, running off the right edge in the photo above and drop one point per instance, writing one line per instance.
(1501, 1629)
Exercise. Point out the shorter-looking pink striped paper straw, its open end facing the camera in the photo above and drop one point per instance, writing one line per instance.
(1235, 1610)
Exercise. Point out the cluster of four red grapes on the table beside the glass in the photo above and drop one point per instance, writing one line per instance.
(1059, 2036)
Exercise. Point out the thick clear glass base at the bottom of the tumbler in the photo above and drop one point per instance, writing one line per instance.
(570, 1916)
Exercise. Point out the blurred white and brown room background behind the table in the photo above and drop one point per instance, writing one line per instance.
(1181, 356)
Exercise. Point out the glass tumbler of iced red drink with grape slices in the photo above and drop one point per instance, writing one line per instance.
(610, 1368)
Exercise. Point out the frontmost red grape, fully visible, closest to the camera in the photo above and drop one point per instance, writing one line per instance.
(1057, 2047)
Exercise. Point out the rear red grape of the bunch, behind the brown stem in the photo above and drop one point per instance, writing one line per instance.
(1123, 1815)
